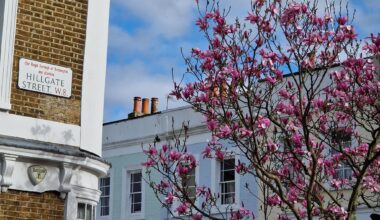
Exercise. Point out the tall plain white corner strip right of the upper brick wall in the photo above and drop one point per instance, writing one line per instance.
(94, 70)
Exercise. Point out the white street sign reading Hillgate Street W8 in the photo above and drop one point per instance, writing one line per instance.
(44, 78)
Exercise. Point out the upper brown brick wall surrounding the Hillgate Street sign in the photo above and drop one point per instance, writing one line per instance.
(52, 32)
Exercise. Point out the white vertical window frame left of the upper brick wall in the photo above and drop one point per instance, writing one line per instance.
(7, 41)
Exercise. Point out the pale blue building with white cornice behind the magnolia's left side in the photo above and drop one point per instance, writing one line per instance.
(123, 143)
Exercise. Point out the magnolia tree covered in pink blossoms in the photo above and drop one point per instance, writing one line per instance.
(294, 89)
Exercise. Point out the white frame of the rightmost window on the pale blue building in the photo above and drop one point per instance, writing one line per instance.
(215, 183)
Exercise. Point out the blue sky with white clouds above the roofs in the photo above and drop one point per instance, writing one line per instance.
(145, 38)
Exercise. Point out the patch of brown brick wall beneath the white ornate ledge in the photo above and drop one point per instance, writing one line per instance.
(20, 205)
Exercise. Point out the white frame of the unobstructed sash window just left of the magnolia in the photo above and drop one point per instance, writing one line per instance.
(125, 201)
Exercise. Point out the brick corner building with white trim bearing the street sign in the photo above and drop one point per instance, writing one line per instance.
(52, 76)
